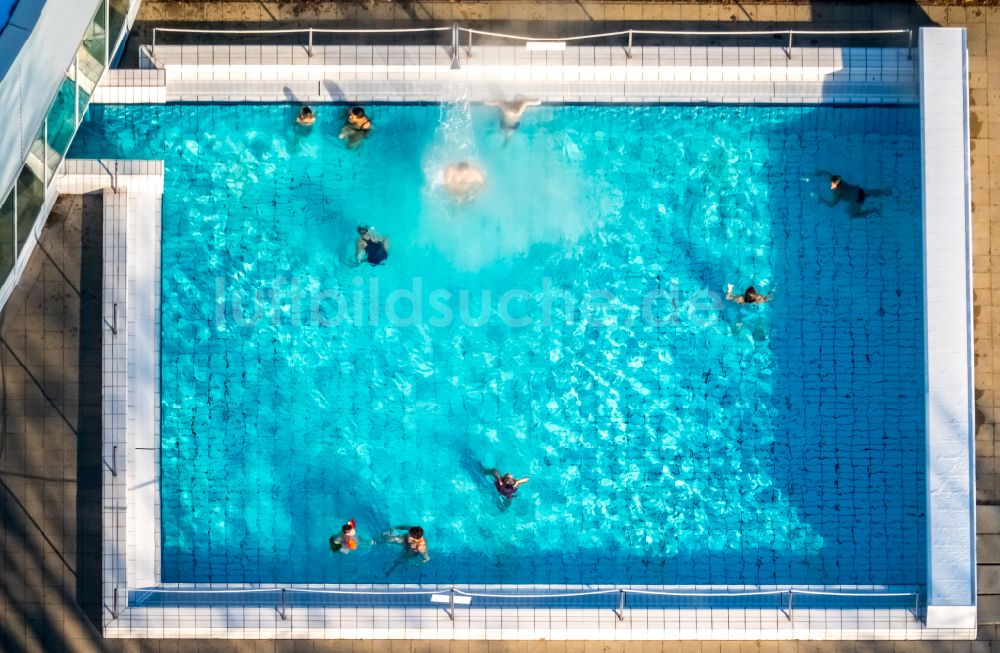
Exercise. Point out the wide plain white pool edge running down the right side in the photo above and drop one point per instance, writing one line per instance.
(951, 532)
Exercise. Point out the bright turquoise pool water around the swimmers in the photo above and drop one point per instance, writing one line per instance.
(670, 437)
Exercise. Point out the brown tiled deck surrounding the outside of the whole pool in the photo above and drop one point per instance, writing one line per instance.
(50, 464)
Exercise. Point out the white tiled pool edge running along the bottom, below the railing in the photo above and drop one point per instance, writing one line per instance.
(525, 624)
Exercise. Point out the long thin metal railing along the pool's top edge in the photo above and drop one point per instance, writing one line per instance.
(629, 34)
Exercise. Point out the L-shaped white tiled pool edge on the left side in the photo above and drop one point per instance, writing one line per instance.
(130, 359)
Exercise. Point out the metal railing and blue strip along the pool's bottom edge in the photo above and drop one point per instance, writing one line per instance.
(451, 599)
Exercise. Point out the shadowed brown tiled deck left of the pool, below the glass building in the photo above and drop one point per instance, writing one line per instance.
(50, 440)
